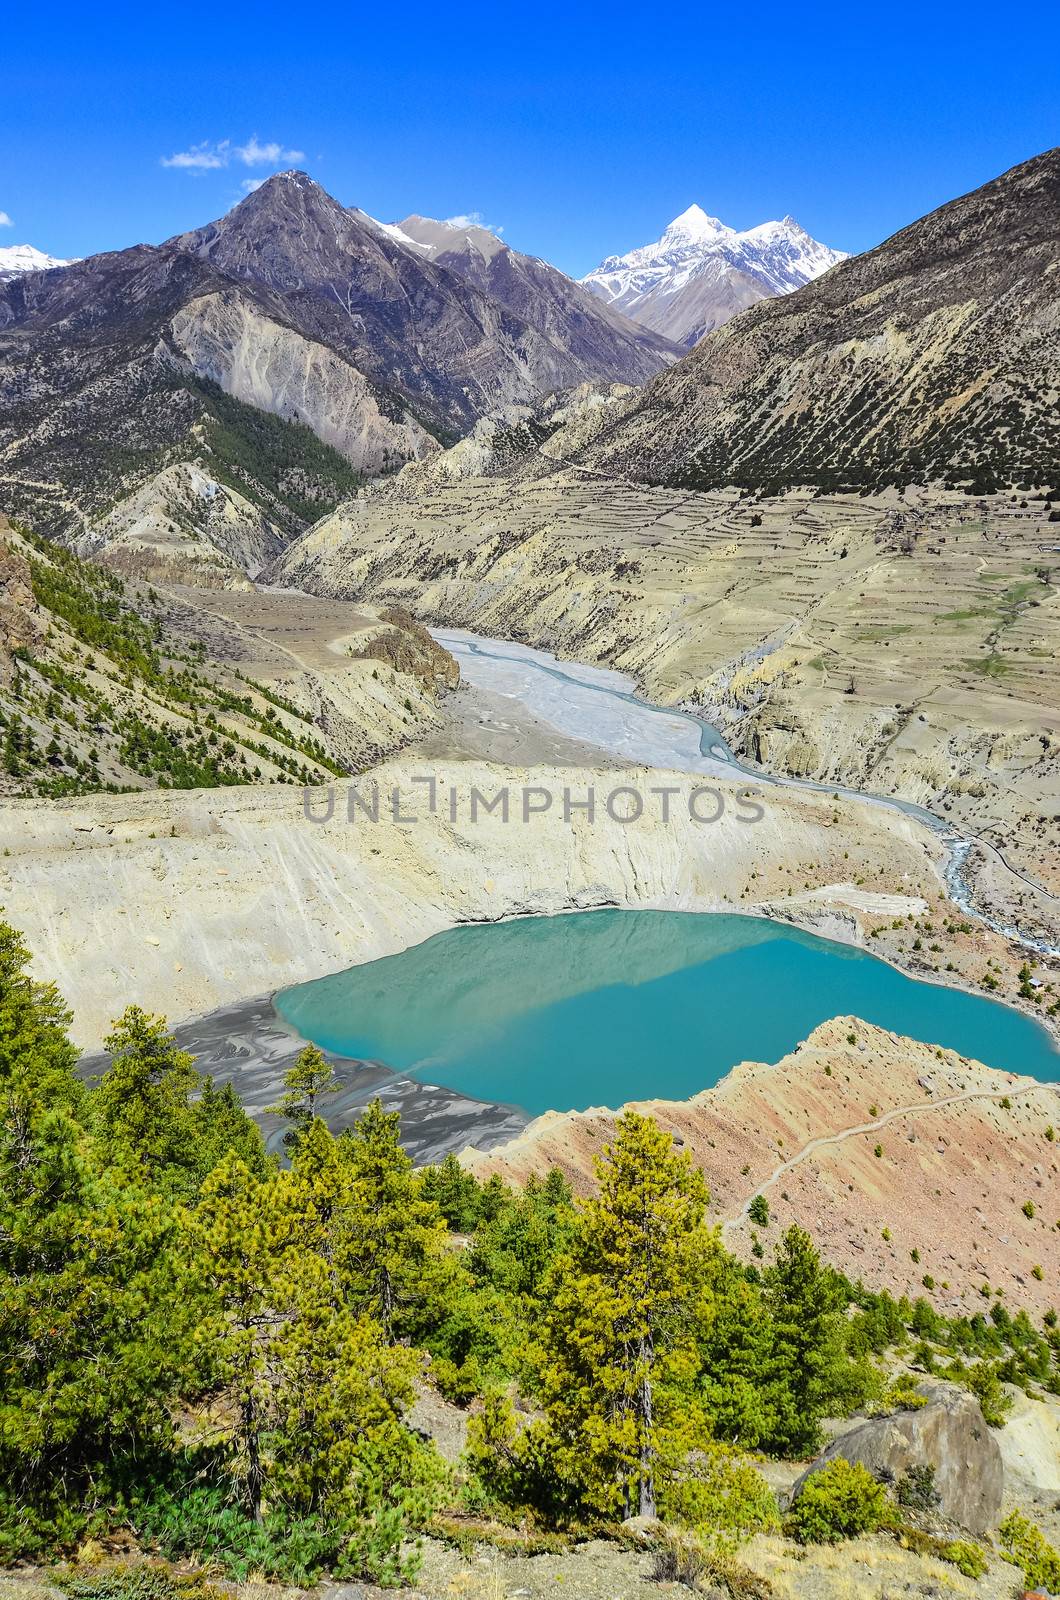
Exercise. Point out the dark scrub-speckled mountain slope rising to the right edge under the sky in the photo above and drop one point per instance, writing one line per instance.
(934, 356)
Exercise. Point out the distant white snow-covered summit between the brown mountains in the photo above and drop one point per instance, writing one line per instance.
(701, 273)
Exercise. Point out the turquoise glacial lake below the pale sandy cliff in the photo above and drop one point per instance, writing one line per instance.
(596, 1009)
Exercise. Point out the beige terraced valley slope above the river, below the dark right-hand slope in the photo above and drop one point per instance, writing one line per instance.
(899, 644)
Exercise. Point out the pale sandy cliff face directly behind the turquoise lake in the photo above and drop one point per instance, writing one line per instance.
(187, 902)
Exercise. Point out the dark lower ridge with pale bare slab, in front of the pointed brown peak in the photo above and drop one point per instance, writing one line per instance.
(122, 366)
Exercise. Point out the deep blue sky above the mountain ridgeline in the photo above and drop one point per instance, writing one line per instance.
(579, 129)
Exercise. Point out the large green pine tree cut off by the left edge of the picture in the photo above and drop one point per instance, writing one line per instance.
(95, 1311)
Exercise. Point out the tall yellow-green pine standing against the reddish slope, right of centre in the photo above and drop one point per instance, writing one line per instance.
(617, 1358)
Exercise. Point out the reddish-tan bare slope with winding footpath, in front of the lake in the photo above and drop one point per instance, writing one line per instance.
(962, 1150)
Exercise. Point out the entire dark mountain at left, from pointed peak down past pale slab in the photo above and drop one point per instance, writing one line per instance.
(284, 350)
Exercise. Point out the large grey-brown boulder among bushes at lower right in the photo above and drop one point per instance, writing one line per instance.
(947, 1434)
